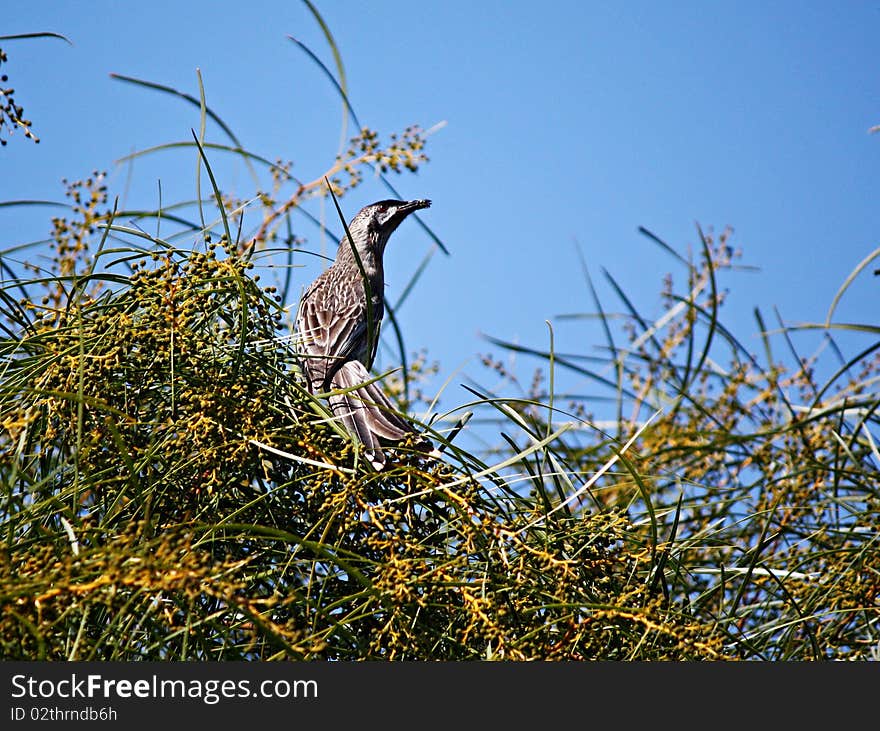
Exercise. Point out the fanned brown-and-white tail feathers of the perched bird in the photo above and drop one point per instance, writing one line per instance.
(368, 414)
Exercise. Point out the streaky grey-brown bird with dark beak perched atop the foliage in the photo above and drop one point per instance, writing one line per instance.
(338, 323)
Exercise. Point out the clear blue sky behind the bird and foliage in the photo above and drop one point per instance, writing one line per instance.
(565, 121)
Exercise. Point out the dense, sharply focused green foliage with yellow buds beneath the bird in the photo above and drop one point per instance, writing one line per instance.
(171, 491)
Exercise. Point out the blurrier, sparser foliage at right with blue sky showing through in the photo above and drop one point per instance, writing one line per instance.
(757, 487)
